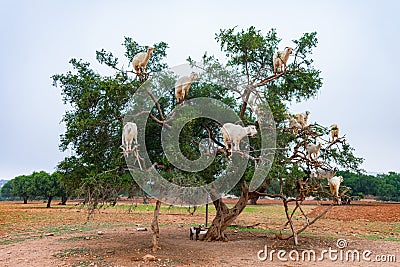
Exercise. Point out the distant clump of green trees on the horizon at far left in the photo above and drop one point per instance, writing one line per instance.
(38, 185)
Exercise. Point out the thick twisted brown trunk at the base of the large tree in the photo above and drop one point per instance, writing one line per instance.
(225, 216)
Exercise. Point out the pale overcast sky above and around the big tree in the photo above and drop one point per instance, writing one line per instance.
(358, 54)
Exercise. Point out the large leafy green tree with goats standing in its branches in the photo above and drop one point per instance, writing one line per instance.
(98, 104)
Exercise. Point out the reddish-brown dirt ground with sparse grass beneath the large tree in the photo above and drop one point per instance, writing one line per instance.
(31, 235)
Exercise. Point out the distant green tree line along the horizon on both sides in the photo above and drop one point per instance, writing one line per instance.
(42, 185)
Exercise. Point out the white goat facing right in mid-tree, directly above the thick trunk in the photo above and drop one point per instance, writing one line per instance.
(233, 134)
